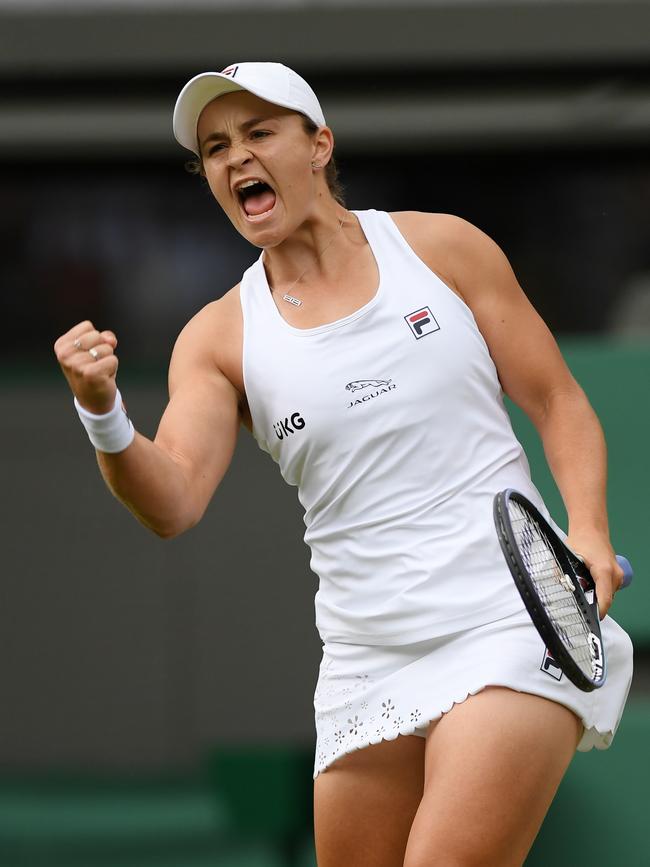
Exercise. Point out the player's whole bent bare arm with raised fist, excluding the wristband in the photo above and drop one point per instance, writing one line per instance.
(167, 483)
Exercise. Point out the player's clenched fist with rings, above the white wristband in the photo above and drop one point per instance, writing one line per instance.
(88, 361)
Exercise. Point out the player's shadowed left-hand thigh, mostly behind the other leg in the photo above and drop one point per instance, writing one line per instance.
(365, 802)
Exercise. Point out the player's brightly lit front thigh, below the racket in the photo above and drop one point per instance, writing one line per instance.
(492, 767)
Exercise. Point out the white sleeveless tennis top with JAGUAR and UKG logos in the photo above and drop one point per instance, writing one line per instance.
(391, 424)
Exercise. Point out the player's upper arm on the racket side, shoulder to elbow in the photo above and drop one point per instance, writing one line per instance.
(527, 358)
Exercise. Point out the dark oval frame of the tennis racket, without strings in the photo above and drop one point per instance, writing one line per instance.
(571, 566)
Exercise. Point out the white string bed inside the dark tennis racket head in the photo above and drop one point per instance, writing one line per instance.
(553, 587)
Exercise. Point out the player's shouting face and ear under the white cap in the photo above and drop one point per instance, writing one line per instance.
(244, 139)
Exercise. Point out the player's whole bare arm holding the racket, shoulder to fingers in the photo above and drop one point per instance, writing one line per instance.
(534, 374)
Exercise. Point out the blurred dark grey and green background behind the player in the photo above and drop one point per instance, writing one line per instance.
(157, 697)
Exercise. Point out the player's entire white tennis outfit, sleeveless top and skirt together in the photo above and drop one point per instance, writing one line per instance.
(391, 423)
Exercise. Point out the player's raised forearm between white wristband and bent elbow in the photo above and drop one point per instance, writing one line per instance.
(151, 484)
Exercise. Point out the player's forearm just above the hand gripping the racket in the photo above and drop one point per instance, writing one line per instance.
(575, 449)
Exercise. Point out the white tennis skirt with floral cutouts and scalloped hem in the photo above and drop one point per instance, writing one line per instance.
(366, 694)
